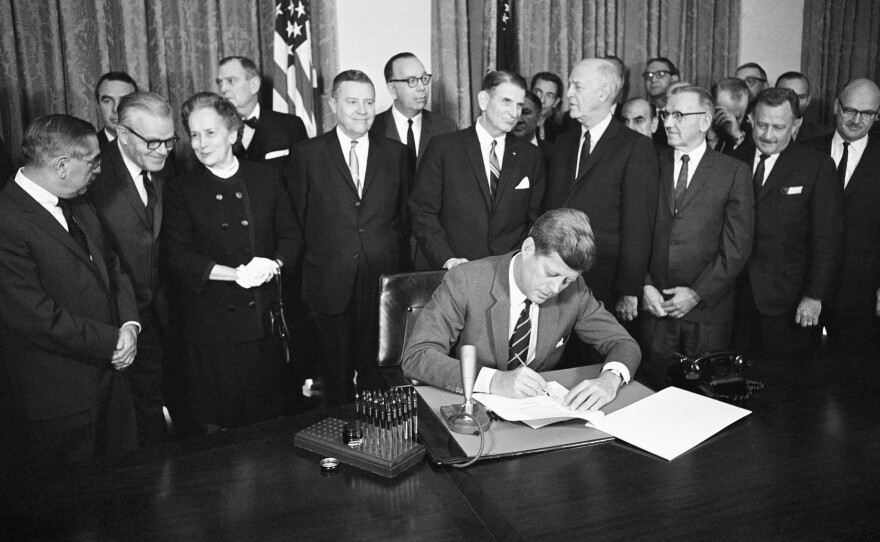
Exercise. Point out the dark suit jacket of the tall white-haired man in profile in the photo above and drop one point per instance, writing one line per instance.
(618, 191)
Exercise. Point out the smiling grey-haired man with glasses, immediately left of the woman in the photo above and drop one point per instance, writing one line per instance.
(127, 195)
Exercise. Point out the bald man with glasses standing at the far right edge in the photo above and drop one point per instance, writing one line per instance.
(853, 320)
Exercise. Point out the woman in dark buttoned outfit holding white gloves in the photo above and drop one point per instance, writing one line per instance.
(228, 229)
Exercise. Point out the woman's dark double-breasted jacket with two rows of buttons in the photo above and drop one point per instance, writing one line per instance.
(211, 221)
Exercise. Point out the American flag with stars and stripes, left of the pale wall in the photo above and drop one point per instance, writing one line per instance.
(294, 76)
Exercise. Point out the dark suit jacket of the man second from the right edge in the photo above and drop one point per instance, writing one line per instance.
(798, 230)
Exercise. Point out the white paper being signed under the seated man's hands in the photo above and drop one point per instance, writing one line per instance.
(536, 411)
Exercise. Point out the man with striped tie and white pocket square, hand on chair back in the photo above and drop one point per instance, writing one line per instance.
(478, 190)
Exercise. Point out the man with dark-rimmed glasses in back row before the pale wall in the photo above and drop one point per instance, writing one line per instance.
(407, 120)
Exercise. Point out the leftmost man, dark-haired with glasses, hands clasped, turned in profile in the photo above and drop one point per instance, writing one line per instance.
(69, 320)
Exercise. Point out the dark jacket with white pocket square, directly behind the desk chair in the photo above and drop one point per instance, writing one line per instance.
(453, 215)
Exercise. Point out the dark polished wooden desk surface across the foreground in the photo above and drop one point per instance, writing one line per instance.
(804, 465)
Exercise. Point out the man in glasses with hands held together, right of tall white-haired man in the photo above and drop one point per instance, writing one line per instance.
(701, 239)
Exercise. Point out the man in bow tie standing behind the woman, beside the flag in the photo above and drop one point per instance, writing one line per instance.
(268, 137)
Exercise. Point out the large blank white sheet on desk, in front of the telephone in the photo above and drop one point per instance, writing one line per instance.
(670, 422)
